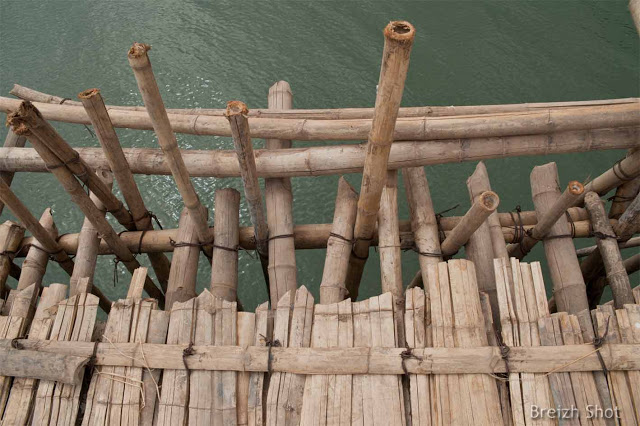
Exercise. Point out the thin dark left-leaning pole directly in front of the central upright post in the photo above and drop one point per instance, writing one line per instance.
(236, 114)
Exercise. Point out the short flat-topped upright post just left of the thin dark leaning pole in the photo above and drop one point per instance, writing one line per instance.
(224, 263)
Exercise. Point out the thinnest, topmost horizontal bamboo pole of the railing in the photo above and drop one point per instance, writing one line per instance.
(29, 94)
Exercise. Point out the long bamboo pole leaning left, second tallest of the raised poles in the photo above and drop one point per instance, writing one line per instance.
(157, 116)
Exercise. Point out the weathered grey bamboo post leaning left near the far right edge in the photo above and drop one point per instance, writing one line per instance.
(608, 246)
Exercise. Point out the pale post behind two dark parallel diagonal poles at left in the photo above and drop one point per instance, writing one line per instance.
(88, 242)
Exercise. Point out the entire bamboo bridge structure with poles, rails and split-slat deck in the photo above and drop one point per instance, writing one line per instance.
(470, 341)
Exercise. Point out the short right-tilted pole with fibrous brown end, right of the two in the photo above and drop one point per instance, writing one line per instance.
(568, 198)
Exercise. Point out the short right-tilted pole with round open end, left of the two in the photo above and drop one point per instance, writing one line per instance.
(480, 210)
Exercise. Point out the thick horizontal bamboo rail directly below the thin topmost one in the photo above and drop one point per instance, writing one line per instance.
(423, 128)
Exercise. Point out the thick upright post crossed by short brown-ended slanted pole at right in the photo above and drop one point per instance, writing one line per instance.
(568, 285)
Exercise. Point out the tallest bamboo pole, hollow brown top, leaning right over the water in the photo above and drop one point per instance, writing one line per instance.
(399, 37)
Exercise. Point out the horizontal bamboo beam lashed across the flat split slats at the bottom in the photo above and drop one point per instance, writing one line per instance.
(356, 360)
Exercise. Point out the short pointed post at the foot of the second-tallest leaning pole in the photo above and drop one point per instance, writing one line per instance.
(184, 263)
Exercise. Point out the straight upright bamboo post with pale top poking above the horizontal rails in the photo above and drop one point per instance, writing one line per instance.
(279, 203)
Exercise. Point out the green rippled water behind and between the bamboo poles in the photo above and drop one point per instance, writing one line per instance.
(206, 53)
